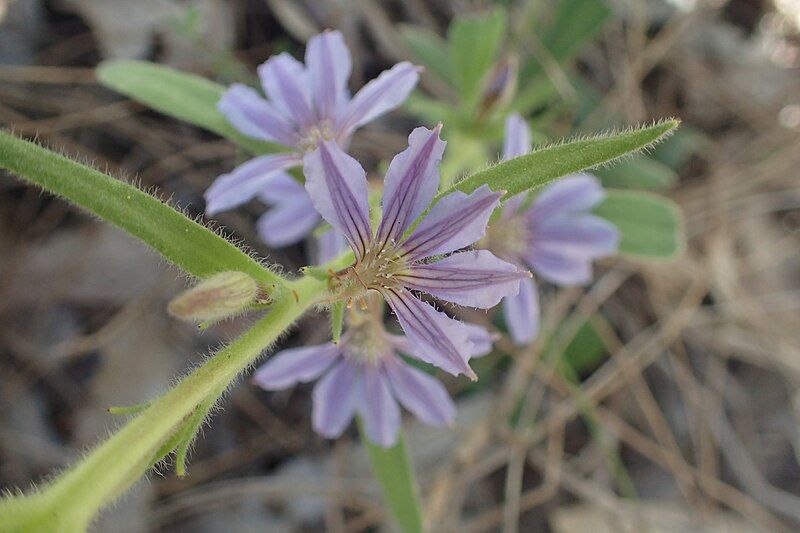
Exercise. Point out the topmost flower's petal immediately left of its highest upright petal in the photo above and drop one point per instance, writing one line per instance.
(285, 81)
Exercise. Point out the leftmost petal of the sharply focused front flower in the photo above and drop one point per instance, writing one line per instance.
(338, 187)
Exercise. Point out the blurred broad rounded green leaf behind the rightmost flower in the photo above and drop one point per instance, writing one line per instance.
(651, 225)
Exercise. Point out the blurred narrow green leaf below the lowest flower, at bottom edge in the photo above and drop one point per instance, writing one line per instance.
(393, 469)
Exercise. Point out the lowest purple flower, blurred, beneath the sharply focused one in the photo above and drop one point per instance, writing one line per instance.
(364, 375)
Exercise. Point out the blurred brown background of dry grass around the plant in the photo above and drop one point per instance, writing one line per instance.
(670, 400)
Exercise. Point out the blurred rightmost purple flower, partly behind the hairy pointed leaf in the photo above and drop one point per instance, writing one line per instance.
(556, 235)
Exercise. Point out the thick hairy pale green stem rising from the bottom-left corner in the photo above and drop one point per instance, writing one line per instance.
(71, 500)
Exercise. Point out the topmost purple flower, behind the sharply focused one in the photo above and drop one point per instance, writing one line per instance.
(306, 103)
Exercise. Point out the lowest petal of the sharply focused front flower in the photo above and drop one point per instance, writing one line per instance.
(434, 337)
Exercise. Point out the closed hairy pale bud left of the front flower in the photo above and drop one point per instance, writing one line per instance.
(221, 296)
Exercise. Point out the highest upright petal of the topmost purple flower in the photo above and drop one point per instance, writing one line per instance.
(328, 62)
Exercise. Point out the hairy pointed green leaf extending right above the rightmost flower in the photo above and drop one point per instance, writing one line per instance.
(546, 164)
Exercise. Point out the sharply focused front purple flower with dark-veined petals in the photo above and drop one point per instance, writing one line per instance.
(393, 263)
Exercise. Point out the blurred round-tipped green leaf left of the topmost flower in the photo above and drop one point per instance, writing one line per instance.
(178, 94)
